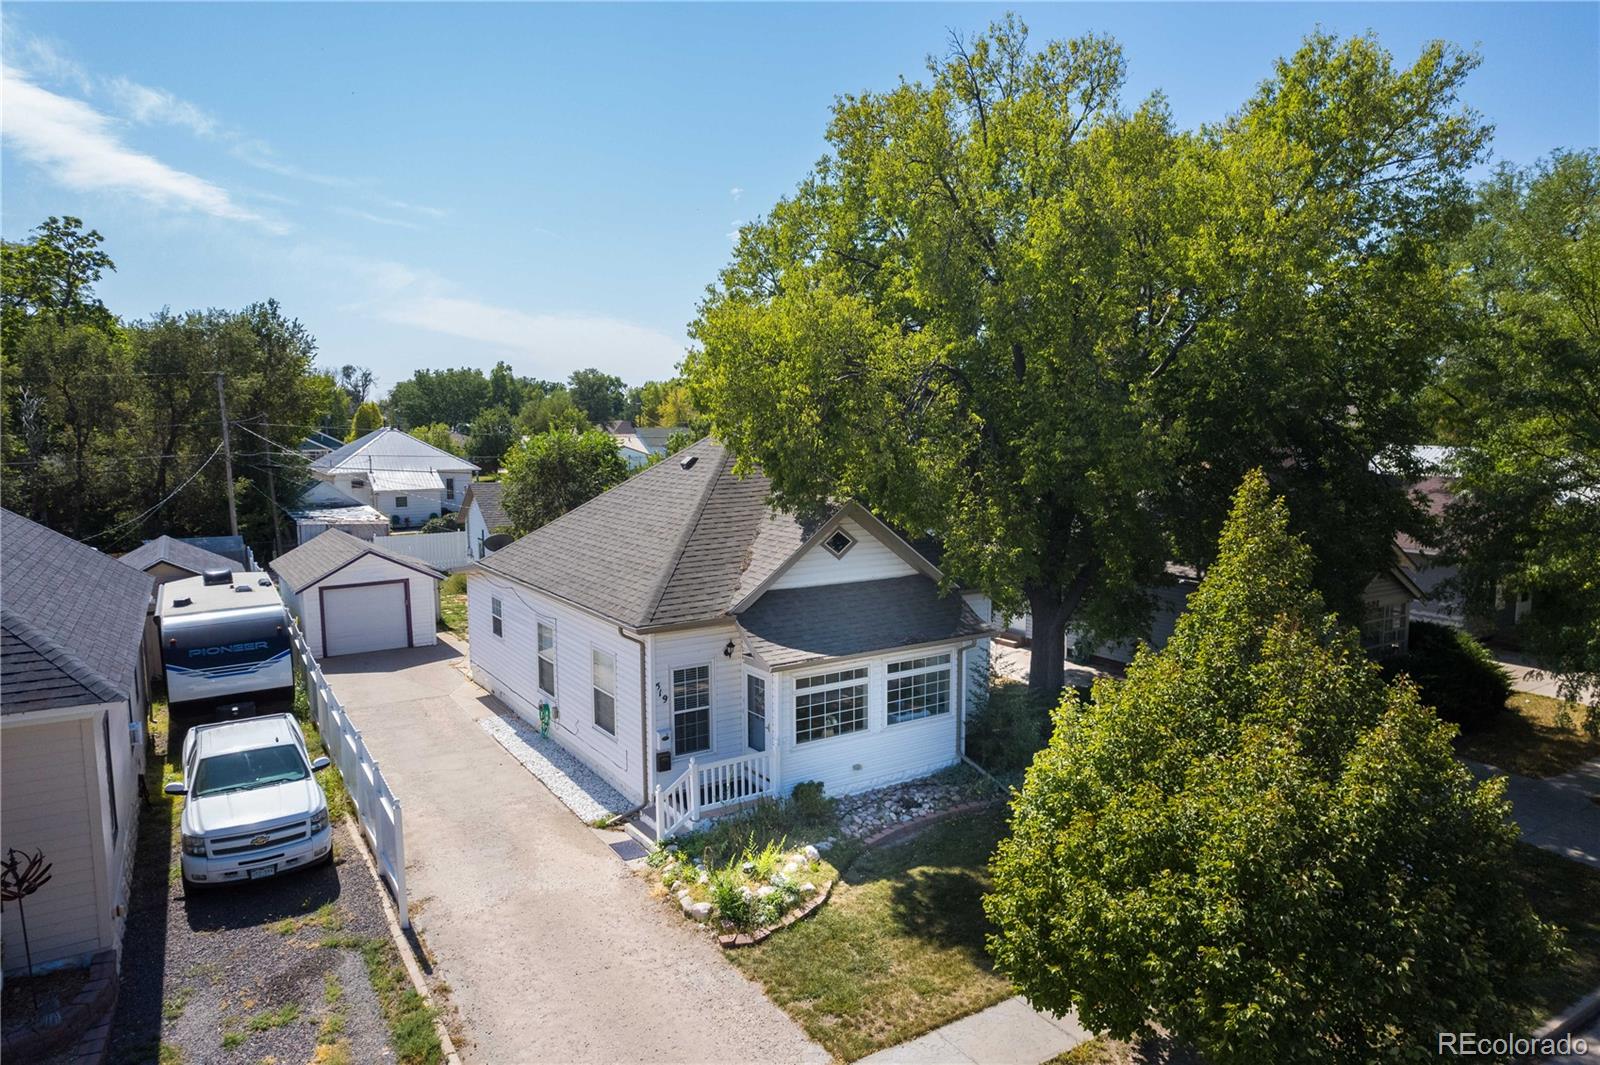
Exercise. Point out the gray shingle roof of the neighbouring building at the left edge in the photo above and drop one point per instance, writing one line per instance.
(74, 620)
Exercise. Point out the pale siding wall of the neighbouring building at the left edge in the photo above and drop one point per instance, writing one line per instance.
(52, 796)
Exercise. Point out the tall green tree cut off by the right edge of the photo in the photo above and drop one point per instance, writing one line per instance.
(1519, 396)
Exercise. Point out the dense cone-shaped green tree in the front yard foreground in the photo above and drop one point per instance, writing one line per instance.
(1258, 845)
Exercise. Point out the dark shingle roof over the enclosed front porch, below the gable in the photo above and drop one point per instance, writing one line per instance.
(793, 626)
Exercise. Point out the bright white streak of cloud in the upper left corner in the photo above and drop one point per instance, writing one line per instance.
(78, 145)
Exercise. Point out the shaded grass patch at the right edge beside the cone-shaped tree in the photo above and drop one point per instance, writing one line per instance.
(1564, 893)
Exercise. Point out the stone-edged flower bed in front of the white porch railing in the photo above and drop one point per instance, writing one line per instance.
(750, 896)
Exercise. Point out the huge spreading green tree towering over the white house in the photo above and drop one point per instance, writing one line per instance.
(1055, 332)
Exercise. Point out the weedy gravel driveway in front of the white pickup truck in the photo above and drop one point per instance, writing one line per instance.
(247, 973)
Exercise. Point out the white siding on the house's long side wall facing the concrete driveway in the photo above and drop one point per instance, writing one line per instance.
(508, 666)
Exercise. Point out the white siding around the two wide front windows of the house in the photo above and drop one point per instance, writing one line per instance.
(884, 754)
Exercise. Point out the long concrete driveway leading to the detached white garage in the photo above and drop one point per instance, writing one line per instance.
(553, 949)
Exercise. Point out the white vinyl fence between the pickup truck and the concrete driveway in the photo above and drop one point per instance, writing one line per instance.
(377, 807)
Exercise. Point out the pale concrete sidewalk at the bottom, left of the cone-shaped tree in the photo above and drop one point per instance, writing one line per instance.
(1009, 1034)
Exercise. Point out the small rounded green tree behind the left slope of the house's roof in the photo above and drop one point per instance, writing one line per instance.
(550, 474)
